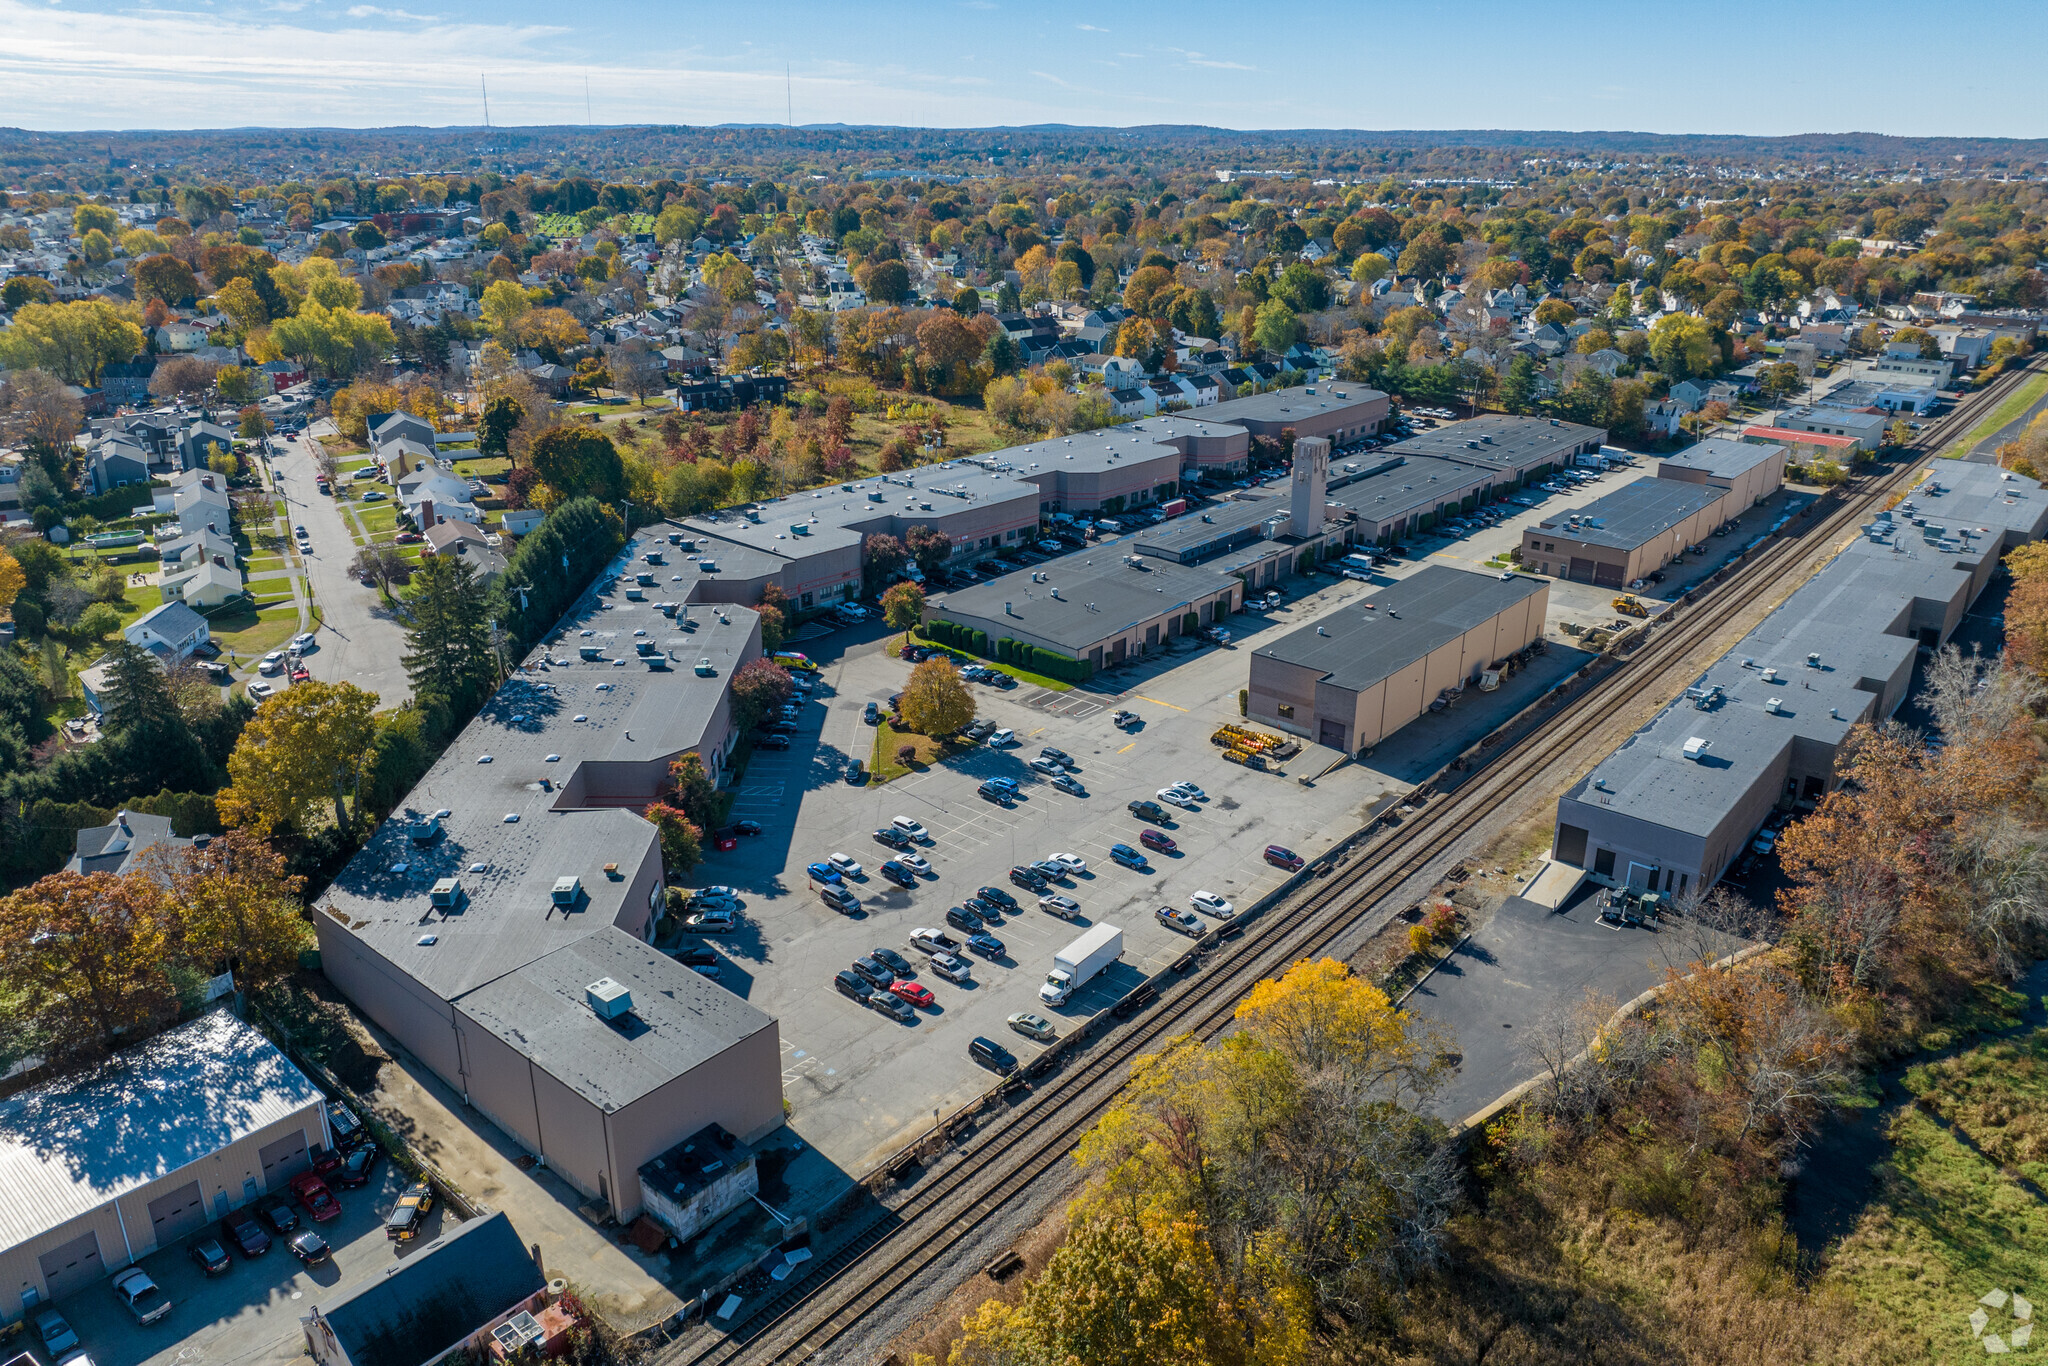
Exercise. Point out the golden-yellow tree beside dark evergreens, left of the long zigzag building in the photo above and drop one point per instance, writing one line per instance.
(306, 746)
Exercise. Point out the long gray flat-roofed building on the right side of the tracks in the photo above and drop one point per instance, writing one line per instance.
(1762, 728)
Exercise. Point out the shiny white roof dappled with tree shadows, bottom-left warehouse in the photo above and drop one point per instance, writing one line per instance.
(73, 1146)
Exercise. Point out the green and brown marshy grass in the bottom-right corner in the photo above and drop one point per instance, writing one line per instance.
(1959, 1205)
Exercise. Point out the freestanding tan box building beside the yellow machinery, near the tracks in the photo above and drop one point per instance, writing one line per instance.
(1359, 675)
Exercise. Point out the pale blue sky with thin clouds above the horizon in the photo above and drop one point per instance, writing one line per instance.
(1789, 67)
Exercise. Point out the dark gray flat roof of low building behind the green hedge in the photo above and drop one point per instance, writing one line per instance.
(1099, 597)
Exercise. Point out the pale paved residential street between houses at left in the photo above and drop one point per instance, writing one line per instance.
(359, 636)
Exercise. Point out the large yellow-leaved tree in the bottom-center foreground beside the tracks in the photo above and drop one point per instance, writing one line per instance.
(1283, 1172)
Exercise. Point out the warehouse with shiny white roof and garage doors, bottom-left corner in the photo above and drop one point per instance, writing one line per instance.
(103, 1168)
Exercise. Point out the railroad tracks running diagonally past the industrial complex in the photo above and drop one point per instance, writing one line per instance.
(1011, 1154)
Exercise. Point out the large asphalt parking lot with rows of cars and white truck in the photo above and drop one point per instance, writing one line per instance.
(861, 1084)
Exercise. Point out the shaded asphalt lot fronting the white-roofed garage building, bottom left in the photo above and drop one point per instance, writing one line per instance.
(251, 1312)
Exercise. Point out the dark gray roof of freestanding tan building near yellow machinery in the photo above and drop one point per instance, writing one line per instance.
(1408, 620)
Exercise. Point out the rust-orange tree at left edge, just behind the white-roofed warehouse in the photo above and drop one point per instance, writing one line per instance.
(87, 953)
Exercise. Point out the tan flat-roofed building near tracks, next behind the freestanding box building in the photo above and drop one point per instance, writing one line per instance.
(1625, 536)
